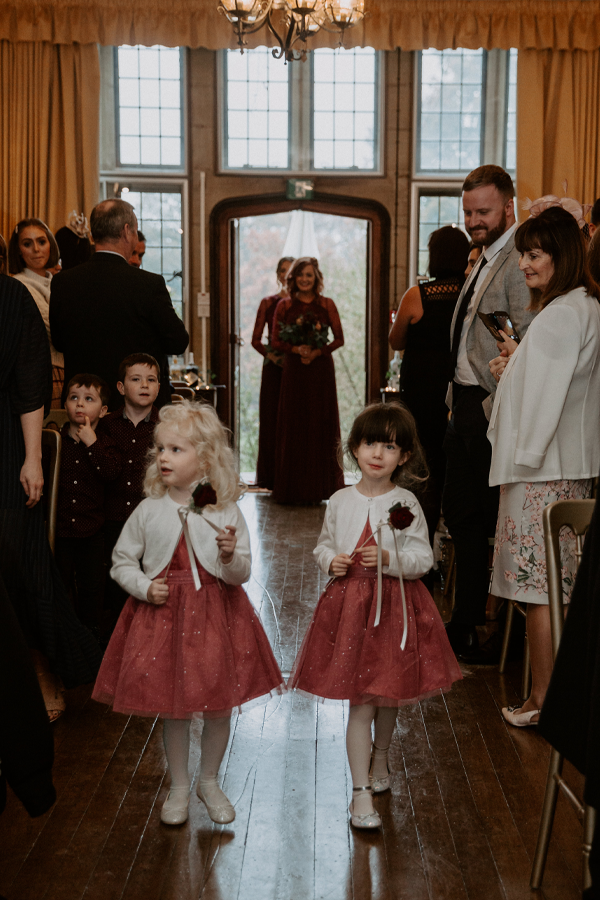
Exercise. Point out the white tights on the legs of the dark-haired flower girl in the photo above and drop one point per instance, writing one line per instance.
(358, 746)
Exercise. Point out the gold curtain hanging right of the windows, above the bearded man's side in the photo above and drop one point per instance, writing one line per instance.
(558, 124)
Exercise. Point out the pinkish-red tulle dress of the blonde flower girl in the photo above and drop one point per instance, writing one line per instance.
(203, 653)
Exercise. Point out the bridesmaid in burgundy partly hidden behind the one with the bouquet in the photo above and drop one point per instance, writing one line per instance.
(270, 383)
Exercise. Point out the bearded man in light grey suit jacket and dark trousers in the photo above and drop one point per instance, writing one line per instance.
(469, 504)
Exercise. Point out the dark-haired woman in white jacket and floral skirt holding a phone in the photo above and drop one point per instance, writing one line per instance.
(544, 426)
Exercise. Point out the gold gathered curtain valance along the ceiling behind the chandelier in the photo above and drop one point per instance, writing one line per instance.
(409, 24)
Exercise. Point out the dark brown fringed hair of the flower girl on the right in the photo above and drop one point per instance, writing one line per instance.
(390, 422)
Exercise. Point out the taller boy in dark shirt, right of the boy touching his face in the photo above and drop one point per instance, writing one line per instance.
(131, 430)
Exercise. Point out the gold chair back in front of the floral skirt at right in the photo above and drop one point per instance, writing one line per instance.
(576, 515)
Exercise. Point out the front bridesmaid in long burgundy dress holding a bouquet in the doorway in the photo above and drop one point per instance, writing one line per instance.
(308, 425)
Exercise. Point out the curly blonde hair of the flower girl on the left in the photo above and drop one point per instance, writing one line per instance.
(200, 424)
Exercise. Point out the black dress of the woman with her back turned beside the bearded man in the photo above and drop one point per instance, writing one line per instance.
(424, 382)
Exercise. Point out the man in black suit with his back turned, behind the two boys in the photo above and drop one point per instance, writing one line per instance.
(105, 309)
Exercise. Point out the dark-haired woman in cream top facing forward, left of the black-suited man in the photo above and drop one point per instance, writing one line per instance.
(32, 251)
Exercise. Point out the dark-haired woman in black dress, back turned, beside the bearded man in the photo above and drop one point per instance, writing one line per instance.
(422, 329)
